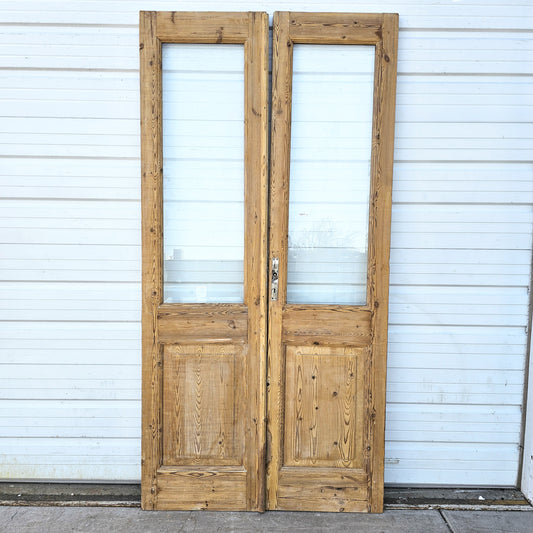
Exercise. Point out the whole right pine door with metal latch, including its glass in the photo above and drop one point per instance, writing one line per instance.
(331, 179)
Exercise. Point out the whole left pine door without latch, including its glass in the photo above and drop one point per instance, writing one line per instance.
(204, 256)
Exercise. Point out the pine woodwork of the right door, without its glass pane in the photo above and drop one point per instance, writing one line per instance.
(319, 397)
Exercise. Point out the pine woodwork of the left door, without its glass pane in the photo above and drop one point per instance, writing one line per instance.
(204, 403)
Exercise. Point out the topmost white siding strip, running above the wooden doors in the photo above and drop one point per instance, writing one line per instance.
(444, 14)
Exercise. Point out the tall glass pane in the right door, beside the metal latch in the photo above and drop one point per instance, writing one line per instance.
(331, 140)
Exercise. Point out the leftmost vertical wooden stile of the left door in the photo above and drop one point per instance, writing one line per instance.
(152, 255)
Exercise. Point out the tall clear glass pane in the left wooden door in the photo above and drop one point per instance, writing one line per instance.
(203, 173)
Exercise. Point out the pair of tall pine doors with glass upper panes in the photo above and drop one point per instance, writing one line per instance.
(265, 291)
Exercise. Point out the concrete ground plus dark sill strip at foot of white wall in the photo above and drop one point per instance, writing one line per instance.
(100, 508)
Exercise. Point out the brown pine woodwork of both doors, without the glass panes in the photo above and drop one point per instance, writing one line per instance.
(226, 427)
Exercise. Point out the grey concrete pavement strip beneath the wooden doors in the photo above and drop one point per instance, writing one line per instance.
(33, 519)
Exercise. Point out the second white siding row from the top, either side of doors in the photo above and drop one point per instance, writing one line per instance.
(420, 51)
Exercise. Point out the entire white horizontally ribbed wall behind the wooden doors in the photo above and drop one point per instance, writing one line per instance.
(70, 234)
